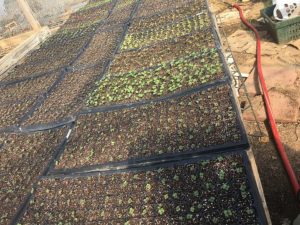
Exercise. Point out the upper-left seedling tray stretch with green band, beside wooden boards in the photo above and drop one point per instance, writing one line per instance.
(62, 48)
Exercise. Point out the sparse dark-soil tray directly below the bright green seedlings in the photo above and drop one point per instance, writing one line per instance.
(193, 122)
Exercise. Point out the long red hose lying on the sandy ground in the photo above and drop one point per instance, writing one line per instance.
(279, 145)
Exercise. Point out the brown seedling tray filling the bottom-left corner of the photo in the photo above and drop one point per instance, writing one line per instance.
(23, 159)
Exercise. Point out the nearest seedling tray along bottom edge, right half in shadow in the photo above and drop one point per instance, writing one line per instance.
(212, 190)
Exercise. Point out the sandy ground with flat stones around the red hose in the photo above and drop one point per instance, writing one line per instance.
(281, 65)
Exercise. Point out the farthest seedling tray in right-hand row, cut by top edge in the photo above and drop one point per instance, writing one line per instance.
(152, 7)
